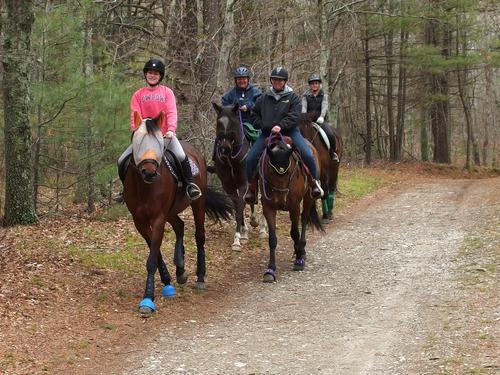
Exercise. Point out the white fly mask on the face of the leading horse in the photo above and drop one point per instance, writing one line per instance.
(147, 146)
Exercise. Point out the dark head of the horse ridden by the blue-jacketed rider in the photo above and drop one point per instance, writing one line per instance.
(229, 130)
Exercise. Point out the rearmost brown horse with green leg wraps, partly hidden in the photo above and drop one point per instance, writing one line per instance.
(329, 168)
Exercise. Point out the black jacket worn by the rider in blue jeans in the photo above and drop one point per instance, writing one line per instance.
(282, 109)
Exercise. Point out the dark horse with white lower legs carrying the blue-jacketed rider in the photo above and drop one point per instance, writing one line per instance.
(230, 157)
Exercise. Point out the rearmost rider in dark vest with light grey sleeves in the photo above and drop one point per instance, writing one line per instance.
(315, 100)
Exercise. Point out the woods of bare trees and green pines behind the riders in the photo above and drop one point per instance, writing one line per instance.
(406, 79)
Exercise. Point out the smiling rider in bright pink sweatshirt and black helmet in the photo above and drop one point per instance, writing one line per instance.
(149, 102)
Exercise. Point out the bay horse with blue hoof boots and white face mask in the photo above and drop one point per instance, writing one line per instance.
(153, 197)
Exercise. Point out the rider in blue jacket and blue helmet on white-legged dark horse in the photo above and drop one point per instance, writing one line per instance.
(244, 94)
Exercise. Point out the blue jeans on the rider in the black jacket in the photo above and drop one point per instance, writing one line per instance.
(299, 142)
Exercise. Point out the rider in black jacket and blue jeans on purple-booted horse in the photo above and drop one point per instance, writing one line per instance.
(277, 111)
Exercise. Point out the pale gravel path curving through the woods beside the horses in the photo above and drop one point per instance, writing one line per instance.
(364, 304)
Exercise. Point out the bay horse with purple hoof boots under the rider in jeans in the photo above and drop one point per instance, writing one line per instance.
(284, 185)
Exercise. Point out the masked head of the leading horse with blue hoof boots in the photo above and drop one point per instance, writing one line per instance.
(147, 146)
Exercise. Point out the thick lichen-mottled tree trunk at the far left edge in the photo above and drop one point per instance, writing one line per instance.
(19, 207)
